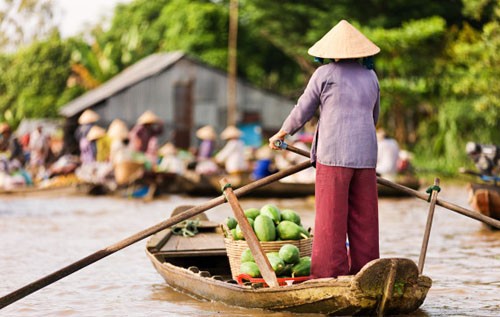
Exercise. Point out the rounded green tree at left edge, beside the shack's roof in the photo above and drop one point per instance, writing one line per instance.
(33, 81)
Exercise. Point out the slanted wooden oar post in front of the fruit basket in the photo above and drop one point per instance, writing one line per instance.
(260, 257)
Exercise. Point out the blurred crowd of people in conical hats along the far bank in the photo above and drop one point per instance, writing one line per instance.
(111, 155)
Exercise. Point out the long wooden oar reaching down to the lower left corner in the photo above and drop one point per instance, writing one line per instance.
(96, 256)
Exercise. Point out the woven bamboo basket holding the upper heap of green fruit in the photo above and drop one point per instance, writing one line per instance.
(234, 248)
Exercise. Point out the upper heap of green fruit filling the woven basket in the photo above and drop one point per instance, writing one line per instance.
(270, 224)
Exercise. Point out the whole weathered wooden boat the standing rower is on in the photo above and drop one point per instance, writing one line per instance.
(199, 266)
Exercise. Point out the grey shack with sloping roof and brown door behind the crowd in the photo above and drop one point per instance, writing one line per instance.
(184, 92)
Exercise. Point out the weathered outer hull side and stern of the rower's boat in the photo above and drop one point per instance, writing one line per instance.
(347, 295)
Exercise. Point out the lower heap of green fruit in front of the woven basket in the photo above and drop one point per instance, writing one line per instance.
(285, 263)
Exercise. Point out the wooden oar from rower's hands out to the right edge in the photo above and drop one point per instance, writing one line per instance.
(458, 209)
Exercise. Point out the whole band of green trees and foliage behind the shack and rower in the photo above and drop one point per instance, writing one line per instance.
(438, 66)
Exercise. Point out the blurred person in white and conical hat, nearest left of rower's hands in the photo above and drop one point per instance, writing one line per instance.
(232, 155)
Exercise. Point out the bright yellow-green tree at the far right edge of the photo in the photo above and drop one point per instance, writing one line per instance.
(469, 103)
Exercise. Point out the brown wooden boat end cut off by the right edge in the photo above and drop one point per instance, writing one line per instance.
(485, 198)
